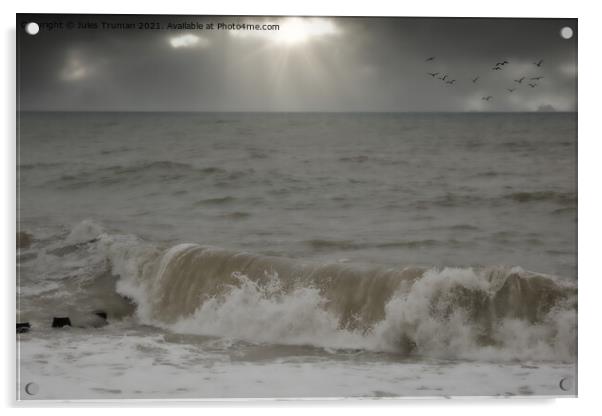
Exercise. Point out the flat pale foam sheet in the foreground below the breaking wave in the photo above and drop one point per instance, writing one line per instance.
(119, 362)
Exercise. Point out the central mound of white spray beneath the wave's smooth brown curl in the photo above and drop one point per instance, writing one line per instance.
(267, 314)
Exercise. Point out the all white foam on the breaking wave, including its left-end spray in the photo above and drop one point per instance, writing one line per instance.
(414, 320)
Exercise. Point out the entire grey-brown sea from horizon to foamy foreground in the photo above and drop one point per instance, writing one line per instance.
(296, 255)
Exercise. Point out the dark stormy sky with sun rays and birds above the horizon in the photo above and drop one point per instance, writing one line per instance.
(309, 64)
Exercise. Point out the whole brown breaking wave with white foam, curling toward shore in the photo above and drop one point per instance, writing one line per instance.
(490, 313)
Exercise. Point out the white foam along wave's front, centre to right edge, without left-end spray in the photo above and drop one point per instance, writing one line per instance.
(268, 315)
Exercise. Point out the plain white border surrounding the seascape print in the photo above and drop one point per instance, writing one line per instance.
(590, 234)
